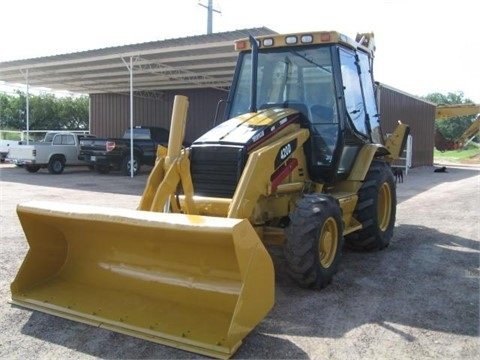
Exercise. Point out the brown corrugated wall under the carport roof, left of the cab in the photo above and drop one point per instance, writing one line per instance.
(110, 113)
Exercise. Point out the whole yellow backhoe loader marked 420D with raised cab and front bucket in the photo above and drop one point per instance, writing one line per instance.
(299, 160)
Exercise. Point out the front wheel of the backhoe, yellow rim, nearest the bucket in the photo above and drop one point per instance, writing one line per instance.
(314, 240)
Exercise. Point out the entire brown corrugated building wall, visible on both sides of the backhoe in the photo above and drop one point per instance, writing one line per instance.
(110, 114)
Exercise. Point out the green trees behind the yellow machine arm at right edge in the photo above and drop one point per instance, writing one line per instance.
(451, 128)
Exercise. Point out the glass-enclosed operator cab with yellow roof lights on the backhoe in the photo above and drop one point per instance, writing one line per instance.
(328, 83)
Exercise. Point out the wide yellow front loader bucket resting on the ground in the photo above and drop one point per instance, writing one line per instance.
(192, 282)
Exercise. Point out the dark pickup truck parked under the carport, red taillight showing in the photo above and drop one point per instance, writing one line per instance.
(114, 153)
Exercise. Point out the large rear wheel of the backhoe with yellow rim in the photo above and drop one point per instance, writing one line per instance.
(375, 210)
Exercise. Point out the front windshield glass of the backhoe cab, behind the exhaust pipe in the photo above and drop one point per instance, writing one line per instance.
(287, 76)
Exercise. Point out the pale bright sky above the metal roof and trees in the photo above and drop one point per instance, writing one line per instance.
(422, 47)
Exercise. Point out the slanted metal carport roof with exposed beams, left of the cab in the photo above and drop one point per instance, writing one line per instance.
(203, 61)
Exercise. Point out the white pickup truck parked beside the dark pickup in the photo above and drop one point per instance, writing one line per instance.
(60, 150)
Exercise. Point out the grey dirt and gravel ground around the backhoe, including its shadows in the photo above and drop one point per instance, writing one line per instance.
(417, 299)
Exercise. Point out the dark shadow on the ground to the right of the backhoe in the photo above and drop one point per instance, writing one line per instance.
(424, 279)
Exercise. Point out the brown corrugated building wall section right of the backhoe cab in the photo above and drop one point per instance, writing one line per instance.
(394, 106)
